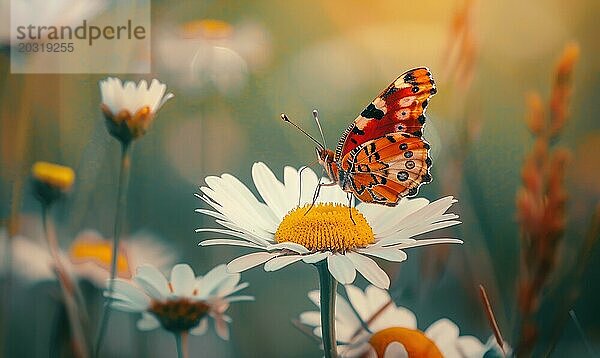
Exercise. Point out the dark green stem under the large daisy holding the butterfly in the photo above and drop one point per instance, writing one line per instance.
(328, 294)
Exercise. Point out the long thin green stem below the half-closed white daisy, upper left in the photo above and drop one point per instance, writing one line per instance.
(119, 215)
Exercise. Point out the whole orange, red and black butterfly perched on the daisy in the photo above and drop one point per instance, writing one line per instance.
(382, 157)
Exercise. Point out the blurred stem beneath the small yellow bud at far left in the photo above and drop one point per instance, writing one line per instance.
(67, 287)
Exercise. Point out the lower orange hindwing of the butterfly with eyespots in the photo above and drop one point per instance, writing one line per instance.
(385, 169)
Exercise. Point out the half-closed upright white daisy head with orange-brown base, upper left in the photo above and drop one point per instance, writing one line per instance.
(130, 109)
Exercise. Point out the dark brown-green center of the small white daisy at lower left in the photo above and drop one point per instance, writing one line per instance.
(179, 315)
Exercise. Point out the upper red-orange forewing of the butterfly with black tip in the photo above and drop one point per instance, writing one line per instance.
(398, 108)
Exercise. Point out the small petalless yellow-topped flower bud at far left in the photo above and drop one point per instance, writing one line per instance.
(51, 181)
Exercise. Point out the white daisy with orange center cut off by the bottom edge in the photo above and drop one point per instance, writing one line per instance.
(371, 325)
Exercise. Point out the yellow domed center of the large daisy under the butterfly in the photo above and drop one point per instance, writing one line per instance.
(325, 227)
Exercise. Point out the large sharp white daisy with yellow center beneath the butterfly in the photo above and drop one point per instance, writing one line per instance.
(286, 233)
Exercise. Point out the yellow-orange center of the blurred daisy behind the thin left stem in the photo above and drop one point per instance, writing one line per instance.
(100, 253)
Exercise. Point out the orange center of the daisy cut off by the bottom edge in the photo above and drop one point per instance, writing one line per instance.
(414, 341)
